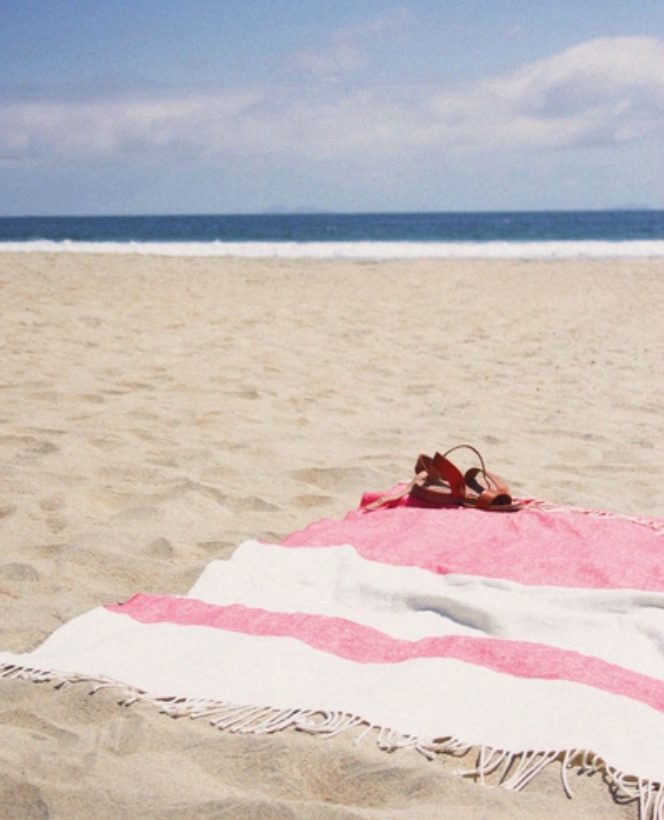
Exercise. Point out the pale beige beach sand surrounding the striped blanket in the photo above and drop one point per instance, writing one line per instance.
(156, 412)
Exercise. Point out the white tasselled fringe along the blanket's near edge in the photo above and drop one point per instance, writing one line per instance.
(508, 769)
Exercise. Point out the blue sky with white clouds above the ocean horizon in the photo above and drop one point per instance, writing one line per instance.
(255, 106)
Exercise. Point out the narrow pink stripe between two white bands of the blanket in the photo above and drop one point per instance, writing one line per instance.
(363, 644)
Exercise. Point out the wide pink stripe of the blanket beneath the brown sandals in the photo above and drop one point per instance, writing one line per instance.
(529, 546)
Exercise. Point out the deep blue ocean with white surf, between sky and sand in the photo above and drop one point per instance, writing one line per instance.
(511, 235)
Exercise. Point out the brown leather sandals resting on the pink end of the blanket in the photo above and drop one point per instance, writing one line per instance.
(438, 481)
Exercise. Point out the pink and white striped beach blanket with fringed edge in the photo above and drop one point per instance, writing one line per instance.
(528, 637)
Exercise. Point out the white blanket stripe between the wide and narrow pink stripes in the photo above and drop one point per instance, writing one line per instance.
(624, 627)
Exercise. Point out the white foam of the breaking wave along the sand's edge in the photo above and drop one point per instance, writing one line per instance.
(633, 249)
